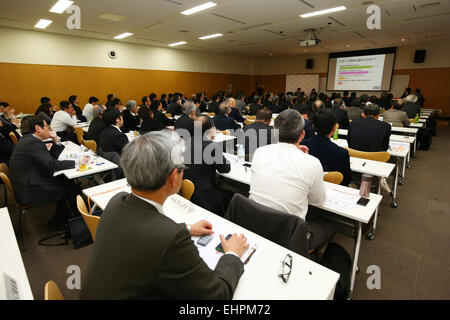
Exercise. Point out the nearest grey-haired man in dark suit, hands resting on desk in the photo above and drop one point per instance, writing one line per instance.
(157, 257)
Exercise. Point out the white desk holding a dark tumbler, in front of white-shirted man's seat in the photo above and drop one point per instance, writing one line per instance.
(356, 214)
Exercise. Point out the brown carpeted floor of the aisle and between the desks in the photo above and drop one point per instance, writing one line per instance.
(412, 245)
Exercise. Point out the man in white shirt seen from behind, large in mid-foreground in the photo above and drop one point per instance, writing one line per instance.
(285, 177)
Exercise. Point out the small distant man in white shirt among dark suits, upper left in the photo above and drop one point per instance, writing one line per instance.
(64, 122)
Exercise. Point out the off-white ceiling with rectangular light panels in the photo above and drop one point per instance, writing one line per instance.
(253, 28)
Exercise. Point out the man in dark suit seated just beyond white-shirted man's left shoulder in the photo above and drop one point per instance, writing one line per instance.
(259, 133)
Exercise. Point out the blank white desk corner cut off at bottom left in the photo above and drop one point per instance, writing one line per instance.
(11, 262)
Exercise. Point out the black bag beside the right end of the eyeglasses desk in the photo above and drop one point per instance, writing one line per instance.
(337, 259)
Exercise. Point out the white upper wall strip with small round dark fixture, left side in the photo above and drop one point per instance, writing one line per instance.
(35, 47)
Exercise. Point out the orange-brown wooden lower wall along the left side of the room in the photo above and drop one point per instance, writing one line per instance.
(22, 85)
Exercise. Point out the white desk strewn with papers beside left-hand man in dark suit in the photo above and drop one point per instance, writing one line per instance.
(96, 165)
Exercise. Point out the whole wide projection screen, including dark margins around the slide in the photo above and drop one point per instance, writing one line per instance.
(369, 70)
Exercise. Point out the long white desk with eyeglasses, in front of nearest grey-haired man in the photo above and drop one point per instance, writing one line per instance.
(308, 280)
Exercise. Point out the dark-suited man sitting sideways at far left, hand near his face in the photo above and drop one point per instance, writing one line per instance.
(32, 167)
